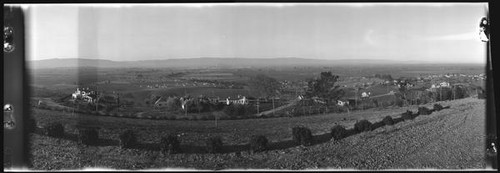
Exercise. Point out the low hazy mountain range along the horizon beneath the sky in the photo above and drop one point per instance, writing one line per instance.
(209, 63)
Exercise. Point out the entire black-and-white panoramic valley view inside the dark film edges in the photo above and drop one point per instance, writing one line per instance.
(257, 86)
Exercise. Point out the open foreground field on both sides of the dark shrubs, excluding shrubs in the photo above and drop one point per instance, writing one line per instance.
(449, 139)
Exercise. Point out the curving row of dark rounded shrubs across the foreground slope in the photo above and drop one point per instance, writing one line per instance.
(301, 135)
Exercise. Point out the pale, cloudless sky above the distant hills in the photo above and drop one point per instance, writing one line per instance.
(429, 32)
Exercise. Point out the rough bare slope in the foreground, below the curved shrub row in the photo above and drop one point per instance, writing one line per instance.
(449, 139)
